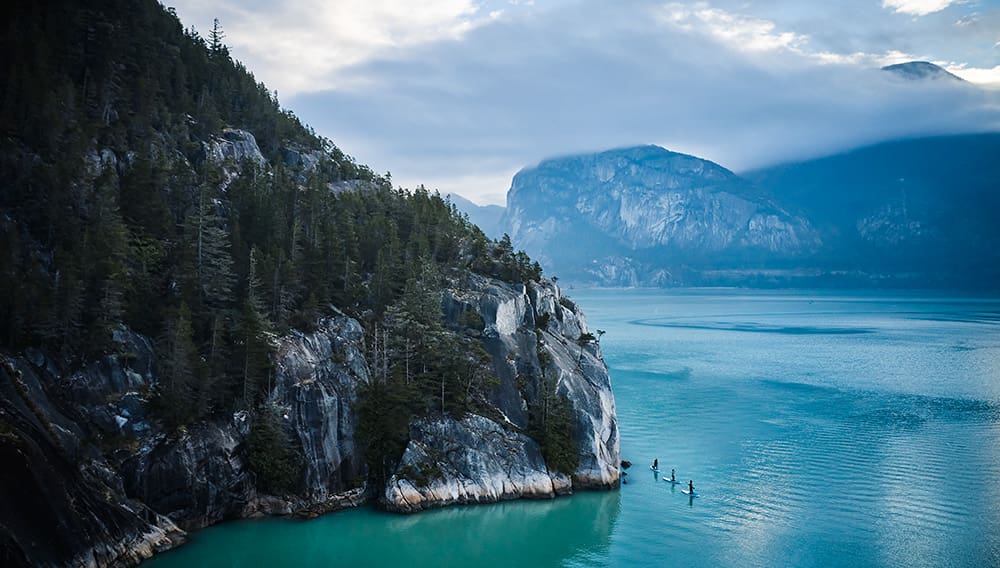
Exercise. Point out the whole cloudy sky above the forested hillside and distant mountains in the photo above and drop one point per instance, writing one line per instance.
(460, 94)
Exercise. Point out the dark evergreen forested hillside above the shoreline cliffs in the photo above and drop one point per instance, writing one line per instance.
(134, 193)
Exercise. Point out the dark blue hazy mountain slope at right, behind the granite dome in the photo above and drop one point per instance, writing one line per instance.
(926, 207)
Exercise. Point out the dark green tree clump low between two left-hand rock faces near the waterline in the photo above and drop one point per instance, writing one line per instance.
(270, 455)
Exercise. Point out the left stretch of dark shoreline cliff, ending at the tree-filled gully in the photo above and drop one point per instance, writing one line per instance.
(85, 457)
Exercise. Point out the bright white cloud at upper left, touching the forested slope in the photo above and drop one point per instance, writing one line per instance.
(305, 45)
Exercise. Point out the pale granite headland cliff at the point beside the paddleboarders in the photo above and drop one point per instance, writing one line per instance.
(531, 333)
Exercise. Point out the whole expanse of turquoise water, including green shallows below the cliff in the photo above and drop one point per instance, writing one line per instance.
(819, 430)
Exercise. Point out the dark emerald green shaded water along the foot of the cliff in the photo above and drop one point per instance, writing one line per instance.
(547, 532)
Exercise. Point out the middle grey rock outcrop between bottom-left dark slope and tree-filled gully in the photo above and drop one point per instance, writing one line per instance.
(201, 477)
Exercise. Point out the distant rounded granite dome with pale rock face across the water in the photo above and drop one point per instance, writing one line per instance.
(646, 216)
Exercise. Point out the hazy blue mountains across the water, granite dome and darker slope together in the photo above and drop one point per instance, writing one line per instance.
(910, 213)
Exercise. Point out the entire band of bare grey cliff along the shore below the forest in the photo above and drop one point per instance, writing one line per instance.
(83, 452)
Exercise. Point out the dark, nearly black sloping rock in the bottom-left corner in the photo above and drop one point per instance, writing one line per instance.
(63, 503)
